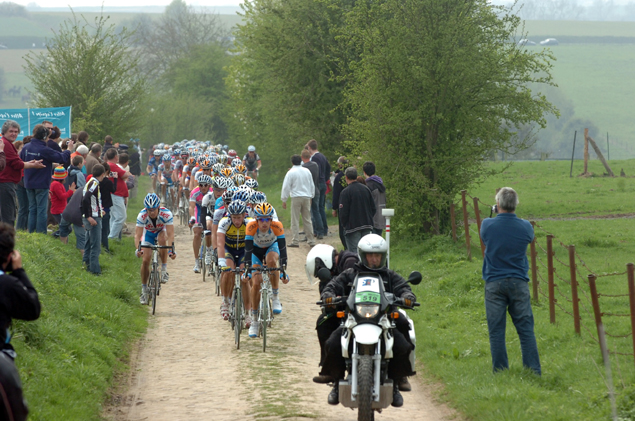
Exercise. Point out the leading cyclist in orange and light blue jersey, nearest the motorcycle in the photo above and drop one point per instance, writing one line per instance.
(264, 243)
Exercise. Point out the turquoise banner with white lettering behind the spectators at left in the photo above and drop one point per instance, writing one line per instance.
(28, 118)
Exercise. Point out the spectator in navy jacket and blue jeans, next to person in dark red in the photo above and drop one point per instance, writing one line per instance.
(38, 181)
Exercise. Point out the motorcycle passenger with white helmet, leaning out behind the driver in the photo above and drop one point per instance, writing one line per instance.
(325, 263)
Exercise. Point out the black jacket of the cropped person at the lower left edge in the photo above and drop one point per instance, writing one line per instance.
(18, 300)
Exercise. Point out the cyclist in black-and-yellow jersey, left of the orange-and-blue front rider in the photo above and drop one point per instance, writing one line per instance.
(231, 243)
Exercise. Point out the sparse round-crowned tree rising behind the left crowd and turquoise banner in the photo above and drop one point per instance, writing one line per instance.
(90, 68)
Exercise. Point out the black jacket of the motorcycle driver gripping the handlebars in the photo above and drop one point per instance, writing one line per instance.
(393, 282)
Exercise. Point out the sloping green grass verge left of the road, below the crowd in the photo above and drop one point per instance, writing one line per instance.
(67, 358)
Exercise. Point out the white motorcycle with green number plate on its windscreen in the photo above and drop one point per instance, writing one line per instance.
(368, 320)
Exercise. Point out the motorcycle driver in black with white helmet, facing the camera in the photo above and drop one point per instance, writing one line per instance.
(372, 251)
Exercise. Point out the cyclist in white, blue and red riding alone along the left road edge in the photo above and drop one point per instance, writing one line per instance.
(154, 224)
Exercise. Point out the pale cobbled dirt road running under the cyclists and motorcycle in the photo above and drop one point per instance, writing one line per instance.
(187, 367)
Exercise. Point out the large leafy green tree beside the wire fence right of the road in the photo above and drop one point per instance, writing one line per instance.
(437, 89)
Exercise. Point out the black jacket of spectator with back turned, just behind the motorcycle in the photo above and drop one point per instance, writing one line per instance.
(357, 208)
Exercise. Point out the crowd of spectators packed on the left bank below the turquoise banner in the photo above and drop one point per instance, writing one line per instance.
(46, 181)
